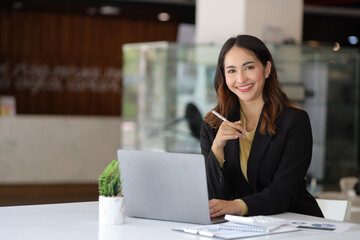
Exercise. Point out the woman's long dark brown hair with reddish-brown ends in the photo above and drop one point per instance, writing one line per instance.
(274, 98)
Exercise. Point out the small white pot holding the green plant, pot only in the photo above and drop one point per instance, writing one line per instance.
(111, 210)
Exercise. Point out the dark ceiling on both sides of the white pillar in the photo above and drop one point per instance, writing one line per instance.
(324, 20)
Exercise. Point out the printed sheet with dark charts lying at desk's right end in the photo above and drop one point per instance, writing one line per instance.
(338, 227)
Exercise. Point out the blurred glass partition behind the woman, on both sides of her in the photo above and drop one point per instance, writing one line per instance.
(168, 89)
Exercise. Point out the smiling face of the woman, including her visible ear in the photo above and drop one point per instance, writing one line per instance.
(245, 75)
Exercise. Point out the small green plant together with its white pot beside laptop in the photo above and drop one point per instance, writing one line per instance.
(111, 200)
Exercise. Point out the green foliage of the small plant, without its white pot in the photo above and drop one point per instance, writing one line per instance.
(109, 181)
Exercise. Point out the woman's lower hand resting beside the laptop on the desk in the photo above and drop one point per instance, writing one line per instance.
(221, 207)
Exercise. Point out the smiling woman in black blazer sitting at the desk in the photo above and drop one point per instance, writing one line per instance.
(257, 161)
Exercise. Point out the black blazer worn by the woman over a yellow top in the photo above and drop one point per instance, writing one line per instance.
(277, 166)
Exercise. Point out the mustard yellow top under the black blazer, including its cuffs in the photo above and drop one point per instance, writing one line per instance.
(245, 147)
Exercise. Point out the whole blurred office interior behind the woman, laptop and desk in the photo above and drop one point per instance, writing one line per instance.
(80, 79)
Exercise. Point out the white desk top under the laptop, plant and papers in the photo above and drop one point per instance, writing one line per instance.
(80, 221)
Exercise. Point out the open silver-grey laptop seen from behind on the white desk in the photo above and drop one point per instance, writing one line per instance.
(165, 186)
